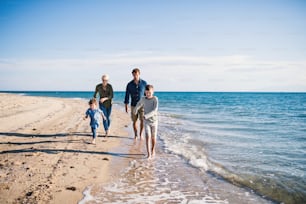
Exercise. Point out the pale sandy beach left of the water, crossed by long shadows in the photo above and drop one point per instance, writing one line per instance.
(45, 150)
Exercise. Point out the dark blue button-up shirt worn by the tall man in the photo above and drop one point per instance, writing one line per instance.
(136, 91)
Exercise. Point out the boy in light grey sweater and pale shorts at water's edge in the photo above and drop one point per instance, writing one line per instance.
(150, 105)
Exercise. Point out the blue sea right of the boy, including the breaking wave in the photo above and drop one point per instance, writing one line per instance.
(253, 140)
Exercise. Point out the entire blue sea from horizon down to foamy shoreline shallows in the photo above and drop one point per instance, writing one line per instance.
(216, 148)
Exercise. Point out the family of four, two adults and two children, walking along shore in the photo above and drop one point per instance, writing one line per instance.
(143, 106)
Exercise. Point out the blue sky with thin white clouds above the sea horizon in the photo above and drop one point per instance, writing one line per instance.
(179, 45)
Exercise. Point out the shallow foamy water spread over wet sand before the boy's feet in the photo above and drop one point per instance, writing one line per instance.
(167, 179)
